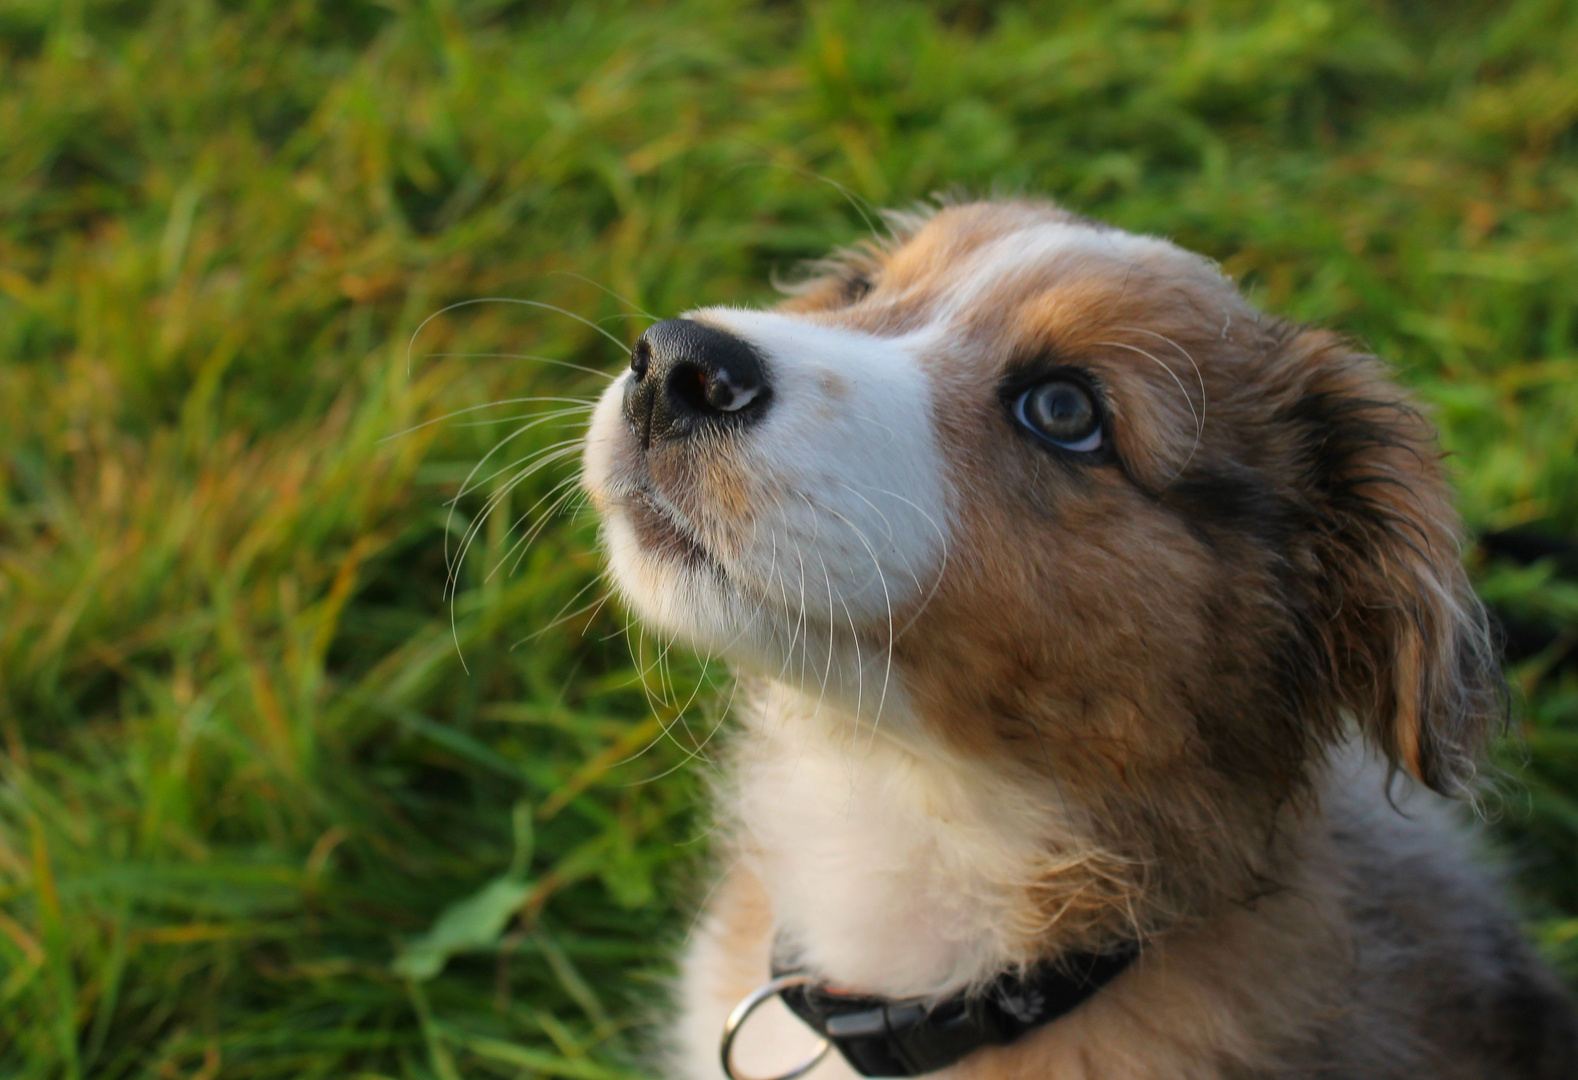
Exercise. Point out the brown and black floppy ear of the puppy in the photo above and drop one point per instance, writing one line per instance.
(1405, 642)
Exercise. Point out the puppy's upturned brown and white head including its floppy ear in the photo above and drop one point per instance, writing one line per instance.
(1061, 498)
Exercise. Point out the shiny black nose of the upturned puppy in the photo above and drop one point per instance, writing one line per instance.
(687, 377)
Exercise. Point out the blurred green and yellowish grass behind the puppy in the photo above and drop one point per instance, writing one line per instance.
(250, 754)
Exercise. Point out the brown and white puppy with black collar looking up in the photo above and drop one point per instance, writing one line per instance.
(1105, 642)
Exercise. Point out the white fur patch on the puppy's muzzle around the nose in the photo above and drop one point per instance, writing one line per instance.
(851, 530)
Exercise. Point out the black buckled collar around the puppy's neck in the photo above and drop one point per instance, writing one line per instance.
(914, 1037)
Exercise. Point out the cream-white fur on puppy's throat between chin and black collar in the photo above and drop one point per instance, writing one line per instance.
(894, 866)
